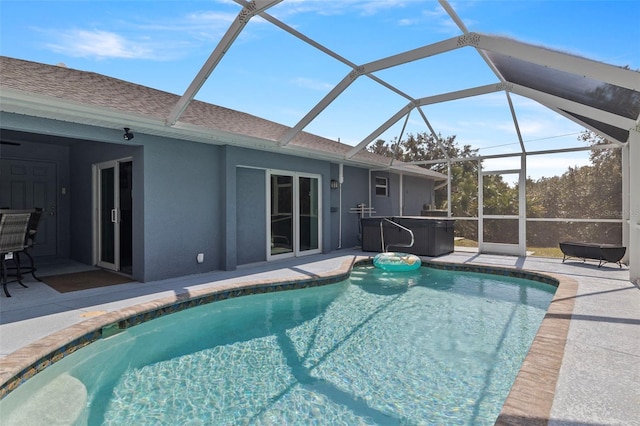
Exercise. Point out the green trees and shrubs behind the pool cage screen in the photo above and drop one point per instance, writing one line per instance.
(592, 191)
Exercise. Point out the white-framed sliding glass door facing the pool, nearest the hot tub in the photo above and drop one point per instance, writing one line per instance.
(294, 208)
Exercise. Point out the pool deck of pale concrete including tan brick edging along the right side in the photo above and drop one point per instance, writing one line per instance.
(583, 368)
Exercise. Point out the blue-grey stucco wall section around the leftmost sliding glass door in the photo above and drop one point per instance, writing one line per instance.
(176, 208)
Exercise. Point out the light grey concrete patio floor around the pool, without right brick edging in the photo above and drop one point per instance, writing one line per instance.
(598, 382)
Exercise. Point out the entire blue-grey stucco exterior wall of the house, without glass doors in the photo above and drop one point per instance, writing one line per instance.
(188, 197)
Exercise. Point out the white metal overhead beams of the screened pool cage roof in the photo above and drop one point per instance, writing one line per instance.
(600, 97)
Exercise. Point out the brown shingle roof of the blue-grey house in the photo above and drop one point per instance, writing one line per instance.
(92, 89)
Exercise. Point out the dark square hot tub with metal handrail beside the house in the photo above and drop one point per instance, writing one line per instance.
(433, 236)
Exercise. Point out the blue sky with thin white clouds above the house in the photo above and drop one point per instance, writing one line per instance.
(271, 74)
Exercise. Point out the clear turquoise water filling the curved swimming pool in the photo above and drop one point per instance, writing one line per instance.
(420, 347)
